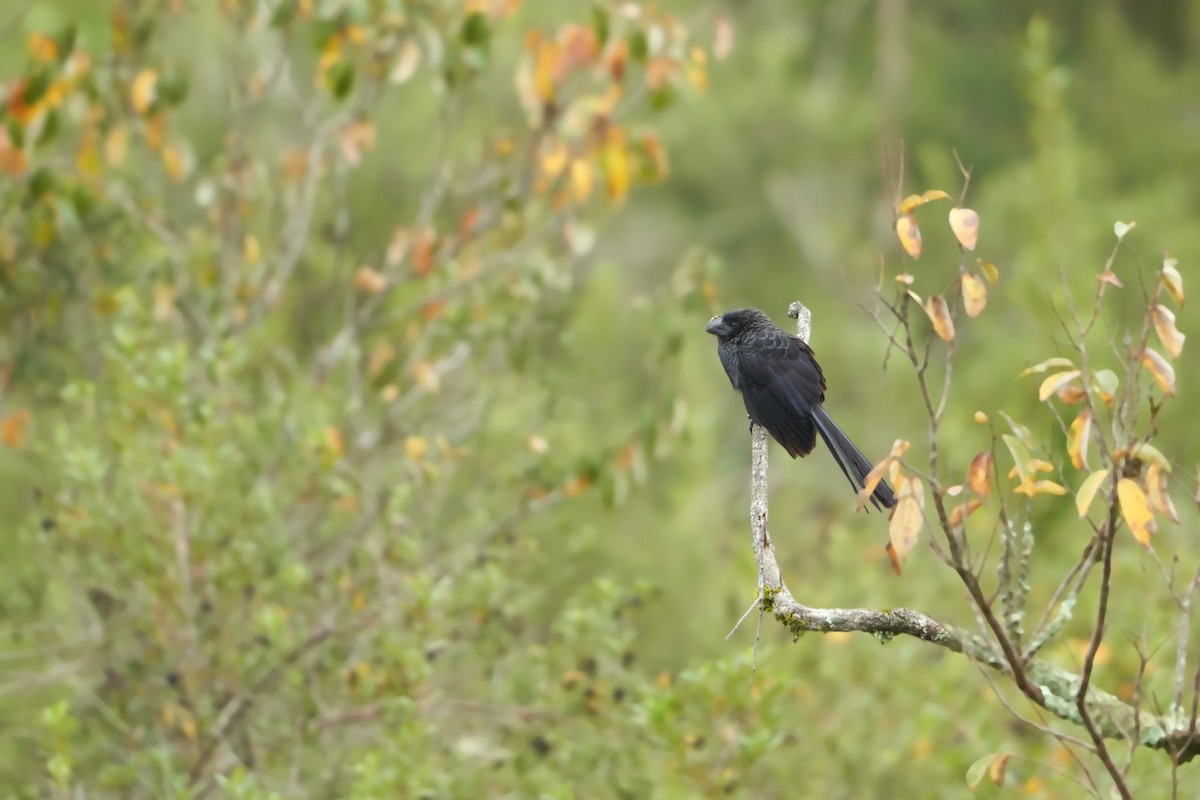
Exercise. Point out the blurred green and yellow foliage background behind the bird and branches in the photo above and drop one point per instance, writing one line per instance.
(347, 456)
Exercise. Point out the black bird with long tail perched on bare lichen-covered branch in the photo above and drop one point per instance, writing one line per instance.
(783, 388)
